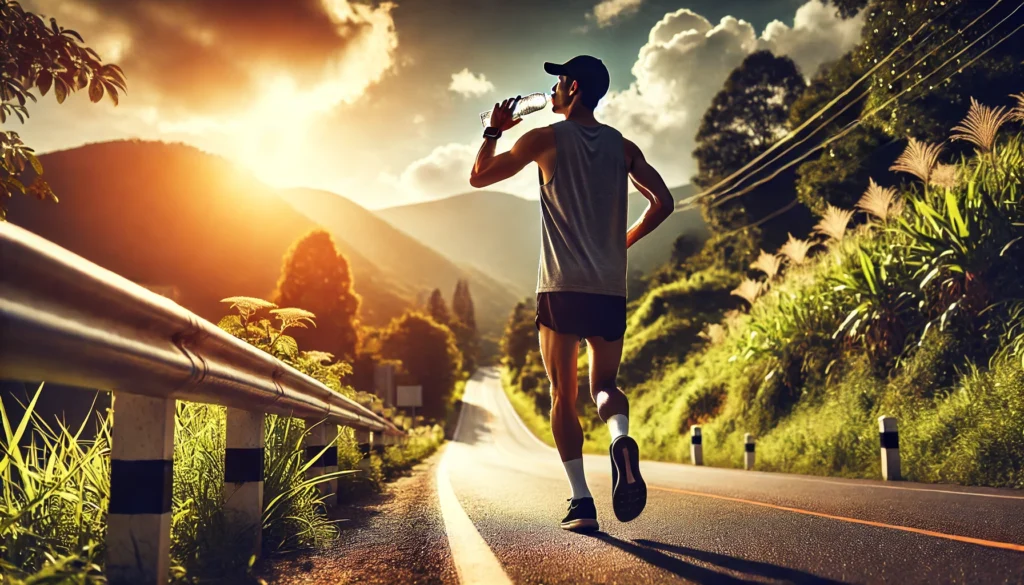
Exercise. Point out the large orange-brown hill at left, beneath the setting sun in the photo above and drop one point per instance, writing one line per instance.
(196, 228)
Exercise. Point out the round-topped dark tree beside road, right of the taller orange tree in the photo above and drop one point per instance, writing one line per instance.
(429, 353)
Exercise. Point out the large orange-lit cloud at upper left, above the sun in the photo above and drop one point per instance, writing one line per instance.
(200, 58)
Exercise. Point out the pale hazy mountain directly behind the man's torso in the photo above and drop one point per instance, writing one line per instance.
(500, 234)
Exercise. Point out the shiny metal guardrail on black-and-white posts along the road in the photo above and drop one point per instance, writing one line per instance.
(68, 321)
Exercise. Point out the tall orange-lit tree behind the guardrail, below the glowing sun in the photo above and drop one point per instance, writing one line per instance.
(316, 277)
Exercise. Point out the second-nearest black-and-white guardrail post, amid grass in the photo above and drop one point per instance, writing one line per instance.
(244, 474)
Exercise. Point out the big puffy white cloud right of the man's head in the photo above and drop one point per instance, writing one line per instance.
(686, 63)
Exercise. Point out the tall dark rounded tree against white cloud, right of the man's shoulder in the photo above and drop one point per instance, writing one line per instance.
(746, 118)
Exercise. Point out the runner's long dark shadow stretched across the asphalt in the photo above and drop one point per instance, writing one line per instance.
(651, 552)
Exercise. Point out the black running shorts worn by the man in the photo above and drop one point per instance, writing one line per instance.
(583, 315)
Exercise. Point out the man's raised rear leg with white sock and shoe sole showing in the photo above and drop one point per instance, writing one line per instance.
(629, 493)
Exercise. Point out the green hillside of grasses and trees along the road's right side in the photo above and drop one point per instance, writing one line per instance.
(890, 284)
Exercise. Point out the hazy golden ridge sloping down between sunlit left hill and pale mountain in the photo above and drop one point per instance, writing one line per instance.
(403, 258)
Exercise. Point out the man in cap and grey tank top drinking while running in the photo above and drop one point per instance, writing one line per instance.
(581, 289)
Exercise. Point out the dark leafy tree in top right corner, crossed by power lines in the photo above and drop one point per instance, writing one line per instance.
(840, 175)
